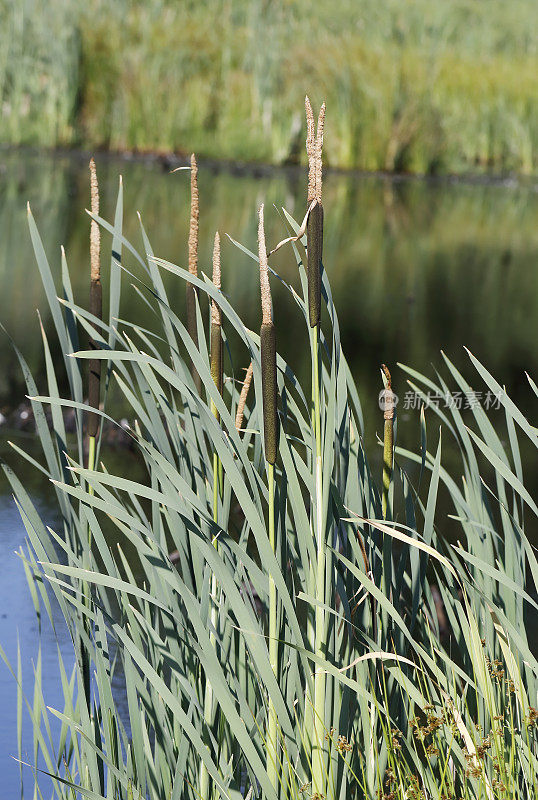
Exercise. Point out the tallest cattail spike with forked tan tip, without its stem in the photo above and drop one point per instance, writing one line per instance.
(314, 225)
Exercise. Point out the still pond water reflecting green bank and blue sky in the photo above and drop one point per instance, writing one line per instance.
(415, 266)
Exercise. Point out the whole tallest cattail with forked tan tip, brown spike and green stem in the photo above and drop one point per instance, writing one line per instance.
(314, 249)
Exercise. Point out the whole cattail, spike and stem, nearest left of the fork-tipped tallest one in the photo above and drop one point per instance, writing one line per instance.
(270, 432)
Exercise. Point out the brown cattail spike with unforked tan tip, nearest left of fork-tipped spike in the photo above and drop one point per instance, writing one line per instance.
(268, 353)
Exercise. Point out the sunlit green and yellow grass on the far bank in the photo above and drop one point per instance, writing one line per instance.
(422, 86)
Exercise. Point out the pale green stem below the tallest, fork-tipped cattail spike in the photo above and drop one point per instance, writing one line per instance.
(318, 767)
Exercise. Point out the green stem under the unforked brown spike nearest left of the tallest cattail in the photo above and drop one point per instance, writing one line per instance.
(272, 732)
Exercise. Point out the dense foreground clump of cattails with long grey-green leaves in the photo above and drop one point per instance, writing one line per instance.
(316, 634)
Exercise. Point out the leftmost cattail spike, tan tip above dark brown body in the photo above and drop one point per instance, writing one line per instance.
(96, 302)
